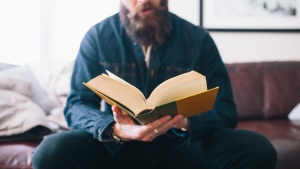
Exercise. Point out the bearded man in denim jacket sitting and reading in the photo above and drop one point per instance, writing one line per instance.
(145, 45)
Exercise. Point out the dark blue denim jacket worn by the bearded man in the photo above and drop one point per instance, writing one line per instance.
(107, 47)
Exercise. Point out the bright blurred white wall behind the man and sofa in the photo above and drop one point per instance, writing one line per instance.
(34, 30)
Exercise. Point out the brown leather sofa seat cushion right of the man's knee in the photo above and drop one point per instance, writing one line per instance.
(283, 134)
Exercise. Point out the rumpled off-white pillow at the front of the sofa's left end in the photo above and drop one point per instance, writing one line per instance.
(18, 114)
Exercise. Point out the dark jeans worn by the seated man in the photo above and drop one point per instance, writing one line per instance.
(227, 148)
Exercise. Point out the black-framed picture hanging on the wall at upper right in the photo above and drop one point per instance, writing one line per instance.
(250, 15)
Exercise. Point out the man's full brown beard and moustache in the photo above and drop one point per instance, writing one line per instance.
(153, 28)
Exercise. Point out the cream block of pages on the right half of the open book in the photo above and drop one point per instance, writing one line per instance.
(176, 88)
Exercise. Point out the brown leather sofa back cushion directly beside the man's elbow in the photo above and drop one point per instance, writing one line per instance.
(246, 81)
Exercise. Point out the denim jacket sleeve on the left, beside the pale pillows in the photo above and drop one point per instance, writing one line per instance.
(83, 109)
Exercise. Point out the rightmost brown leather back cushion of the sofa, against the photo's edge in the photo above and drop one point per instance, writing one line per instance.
(281, 86)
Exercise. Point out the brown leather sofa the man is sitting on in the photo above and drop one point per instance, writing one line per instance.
(265, 92)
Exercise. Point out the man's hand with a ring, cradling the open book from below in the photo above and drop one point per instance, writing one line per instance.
(126, 129)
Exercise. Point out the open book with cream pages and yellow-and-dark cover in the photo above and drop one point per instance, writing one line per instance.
(185, 94)
